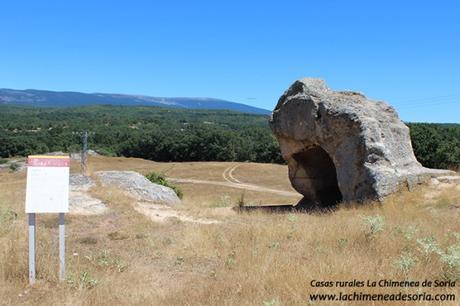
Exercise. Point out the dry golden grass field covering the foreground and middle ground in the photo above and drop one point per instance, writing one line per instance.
(257, 258)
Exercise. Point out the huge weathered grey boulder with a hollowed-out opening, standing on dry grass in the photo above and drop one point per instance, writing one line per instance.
(340, 146)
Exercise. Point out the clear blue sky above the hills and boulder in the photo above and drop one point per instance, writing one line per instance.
(404, 52)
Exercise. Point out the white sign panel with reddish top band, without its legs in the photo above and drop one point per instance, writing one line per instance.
(47, 184)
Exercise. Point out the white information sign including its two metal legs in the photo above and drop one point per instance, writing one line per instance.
(47, 192)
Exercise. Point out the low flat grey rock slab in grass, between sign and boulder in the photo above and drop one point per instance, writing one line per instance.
(139, 187)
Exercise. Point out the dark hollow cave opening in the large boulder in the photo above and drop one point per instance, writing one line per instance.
(317, 172)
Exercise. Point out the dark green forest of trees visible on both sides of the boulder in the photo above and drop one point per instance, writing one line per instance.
(179, 135)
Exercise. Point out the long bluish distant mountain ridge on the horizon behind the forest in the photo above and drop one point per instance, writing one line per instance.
(44, 98)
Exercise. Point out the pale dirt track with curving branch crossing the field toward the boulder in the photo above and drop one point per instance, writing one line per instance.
(232, 182)
